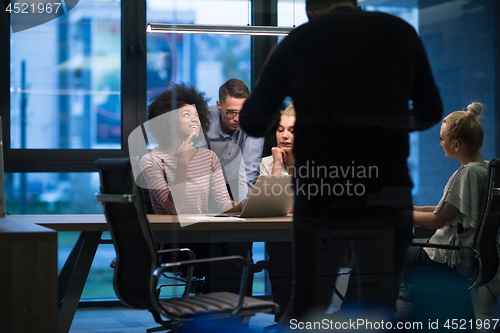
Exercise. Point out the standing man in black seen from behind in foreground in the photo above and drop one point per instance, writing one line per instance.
(351, 75)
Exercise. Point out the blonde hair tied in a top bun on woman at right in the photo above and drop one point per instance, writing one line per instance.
(465, 126)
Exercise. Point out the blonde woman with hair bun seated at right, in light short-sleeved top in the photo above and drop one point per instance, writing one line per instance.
(456, 216)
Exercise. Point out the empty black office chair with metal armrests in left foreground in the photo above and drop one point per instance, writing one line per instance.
(138, 266)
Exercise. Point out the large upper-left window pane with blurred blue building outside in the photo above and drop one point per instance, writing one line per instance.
(65, 80)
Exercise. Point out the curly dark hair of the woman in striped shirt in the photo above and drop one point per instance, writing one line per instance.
(179, 95)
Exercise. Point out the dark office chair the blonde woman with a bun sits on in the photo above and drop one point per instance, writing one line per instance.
(485, 246)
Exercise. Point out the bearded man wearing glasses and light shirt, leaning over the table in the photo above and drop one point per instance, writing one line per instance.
(239, 154)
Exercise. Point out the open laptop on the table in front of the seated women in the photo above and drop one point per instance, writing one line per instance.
(271, 196)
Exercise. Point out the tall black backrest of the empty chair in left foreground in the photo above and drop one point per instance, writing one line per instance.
(136, 253)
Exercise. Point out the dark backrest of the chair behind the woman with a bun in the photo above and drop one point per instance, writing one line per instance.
(487, 239)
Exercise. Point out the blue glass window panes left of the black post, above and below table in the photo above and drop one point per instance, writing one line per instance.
(65, 94)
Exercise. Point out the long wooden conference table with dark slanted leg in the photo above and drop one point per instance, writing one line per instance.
(166, 229)
